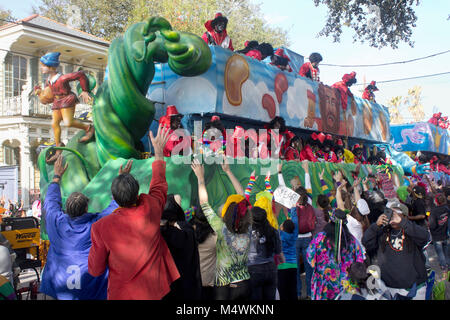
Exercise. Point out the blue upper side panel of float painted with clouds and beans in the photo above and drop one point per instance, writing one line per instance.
(240, 86)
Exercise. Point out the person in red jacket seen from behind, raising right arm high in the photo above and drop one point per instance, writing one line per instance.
(129, 242)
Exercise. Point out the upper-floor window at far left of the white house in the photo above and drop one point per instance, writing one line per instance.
(15, 74)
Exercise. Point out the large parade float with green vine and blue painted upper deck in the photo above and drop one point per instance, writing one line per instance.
(152, 66)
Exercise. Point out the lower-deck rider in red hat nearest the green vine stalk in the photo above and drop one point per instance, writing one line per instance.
(172, 119)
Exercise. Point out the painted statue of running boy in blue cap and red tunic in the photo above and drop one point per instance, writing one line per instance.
(64, 100)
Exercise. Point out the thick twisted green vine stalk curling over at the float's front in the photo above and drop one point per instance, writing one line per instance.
(122, 113)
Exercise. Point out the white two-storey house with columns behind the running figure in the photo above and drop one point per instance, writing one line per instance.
(25, 123)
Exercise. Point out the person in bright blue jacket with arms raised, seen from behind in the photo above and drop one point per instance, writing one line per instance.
(65, 275)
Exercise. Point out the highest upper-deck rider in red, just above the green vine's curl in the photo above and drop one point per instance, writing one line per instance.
(216, 32)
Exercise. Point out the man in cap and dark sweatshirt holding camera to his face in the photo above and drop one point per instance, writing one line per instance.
(399, 244)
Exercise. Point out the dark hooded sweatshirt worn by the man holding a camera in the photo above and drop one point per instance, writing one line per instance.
(401, 263)
